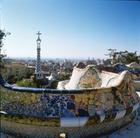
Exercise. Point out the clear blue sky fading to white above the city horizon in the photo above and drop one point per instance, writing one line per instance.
(70, 28)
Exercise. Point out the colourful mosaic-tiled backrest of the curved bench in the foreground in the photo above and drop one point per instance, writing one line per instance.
(84, 104)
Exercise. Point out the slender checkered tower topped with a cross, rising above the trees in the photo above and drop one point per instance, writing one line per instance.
(38, 71)
